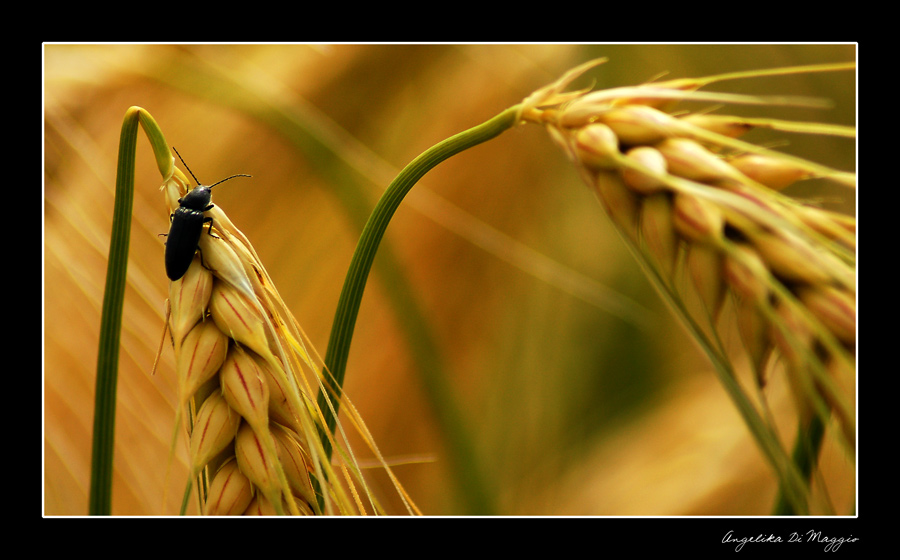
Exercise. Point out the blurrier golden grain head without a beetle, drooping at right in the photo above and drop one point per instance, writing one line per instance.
(697, 203)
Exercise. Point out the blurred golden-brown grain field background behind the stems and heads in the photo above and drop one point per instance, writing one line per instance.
(500, 274)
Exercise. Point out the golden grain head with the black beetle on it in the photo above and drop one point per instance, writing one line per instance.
(250, 410)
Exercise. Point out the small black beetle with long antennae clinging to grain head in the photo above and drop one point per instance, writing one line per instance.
(187, 225)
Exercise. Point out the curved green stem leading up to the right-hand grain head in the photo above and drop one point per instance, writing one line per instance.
(360, 265)
